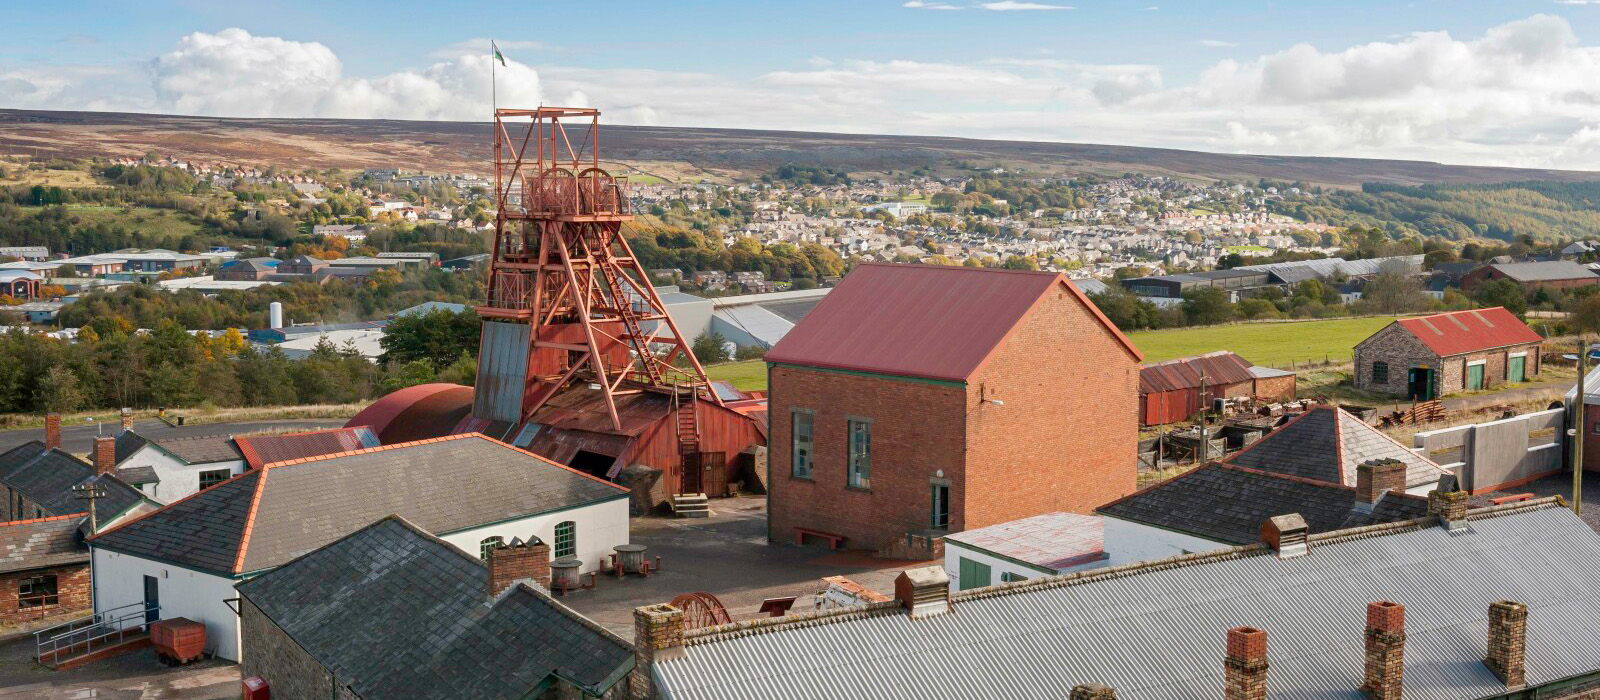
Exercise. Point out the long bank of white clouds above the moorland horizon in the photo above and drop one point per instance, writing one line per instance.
(1522, 93)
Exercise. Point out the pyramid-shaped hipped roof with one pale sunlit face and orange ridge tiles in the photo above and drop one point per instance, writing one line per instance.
(1327, 443)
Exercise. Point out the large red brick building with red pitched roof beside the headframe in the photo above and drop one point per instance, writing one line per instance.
(927, 400)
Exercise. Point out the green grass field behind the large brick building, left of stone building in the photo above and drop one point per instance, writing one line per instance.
(1270, 344)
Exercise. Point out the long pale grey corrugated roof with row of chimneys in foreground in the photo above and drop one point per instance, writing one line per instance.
(1158, 632)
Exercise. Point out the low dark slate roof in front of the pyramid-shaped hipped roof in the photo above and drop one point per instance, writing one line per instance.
(1228, 504)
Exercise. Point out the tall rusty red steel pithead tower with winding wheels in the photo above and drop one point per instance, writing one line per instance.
(567, 300)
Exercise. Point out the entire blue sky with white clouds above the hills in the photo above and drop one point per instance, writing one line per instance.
(1452, 81)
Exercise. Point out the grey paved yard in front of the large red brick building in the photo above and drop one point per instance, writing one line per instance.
(727, 555)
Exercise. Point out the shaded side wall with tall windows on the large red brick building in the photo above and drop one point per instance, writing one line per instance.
(916, 432)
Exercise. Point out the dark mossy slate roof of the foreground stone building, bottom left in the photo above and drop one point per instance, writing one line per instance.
(438, 634)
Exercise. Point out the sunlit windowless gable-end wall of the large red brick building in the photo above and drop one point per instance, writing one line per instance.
(1068, 434)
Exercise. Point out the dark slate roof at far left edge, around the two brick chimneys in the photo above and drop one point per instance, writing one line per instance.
(47, 477)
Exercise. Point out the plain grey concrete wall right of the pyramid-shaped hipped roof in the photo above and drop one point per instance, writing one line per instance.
(1500, 455)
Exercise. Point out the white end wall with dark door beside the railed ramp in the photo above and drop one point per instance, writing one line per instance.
(119, 581)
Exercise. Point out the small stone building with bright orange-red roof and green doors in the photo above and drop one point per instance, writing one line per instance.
(1430, 357)
